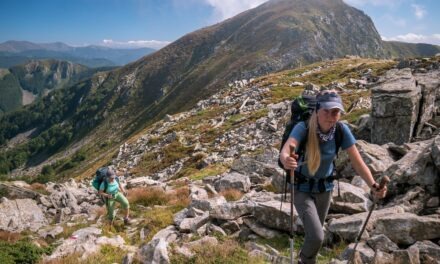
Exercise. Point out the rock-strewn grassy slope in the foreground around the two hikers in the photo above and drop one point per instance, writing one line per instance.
(218, 162)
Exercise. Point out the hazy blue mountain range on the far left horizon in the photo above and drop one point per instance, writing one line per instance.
(18, 52)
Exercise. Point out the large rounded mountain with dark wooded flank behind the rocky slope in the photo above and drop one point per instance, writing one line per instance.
(99, 113)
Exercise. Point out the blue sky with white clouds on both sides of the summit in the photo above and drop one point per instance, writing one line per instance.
(155, 23)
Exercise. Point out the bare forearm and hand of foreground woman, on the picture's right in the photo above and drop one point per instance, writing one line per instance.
(361, 168)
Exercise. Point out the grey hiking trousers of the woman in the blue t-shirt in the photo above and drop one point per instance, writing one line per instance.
(312, 209)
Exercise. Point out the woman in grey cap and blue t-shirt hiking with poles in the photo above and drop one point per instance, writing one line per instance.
(313, 181)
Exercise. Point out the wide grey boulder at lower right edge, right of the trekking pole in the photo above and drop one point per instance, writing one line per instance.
(408, 228)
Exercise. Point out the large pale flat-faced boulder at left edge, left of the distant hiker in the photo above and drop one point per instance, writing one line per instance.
(21, 214)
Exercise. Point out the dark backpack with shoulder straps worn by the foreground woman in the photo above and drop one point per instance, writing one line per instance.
(301, 109)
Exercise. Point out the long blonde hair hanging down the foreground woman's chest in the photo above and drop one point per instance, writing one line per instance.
(313, 154)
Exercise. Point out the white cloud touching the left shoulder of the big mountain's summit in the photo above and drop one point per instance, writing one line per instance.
(224, 9)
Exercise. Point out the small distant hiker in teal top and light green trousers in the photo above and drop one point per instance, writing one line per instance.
(114, 193)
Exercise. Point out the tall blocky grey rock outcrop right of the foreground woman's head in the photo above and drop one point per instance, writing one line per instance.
(396, 102)
